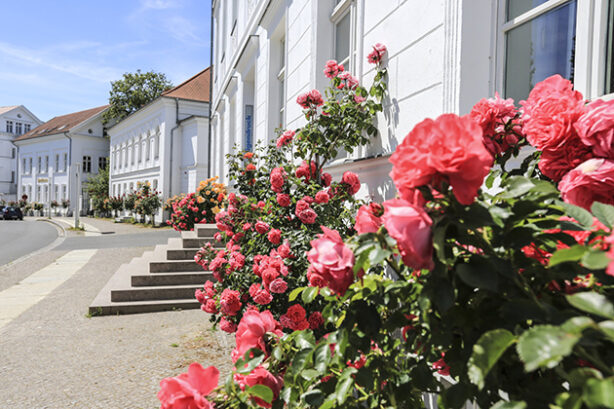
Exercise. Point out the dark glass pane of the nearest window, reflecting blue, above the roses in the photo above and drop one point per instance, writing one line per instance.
(540, 41)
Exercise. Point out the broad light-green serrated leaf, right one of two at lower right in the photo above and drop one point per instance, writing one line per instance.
(544, 346)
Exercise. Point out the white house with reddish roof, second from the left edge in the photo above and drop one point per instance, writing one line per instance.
(60, 154)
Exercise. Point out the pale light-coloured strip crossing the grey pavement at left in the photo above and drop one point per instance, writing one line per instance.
(18, 298)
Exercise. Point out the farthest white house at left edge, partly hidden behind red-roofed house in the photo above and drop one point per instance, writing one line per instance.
(14, 121)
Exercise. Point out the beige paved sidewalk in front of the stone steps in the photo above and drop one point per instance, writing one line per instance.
(54, 356)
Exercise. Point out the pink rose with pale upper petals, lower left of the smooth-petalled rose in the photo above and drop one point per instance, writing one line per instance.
(332, 260)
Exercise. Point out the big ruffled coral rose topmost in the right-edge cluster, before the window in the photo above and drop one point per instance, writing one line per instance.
(550, 113)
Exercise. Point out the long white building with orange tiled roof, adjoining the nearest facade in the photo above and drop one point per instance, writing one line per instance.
(164, 143)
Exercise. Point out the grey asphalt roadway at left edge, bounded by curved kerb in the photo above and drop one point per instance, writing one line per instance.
(19, 238)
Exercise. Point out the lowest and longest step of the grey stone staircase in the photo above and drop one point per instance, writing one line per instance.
(137, 307)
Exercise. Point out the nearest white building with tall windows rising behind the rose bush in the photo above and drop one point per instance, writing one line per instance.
(443, 56)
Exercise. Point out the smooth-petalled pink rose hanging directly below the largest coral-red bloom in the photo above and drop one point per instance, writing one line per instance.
(410, 226)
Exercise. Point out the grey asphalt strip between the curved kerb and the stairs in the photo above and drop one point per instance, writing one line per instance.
(105, 241)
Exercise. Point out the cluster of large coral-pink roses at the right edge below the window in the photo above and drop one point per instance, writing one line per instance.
(576, 140)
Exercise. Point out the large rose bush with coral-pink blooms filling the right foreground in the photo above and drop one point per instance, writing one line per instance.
(502, 296)
